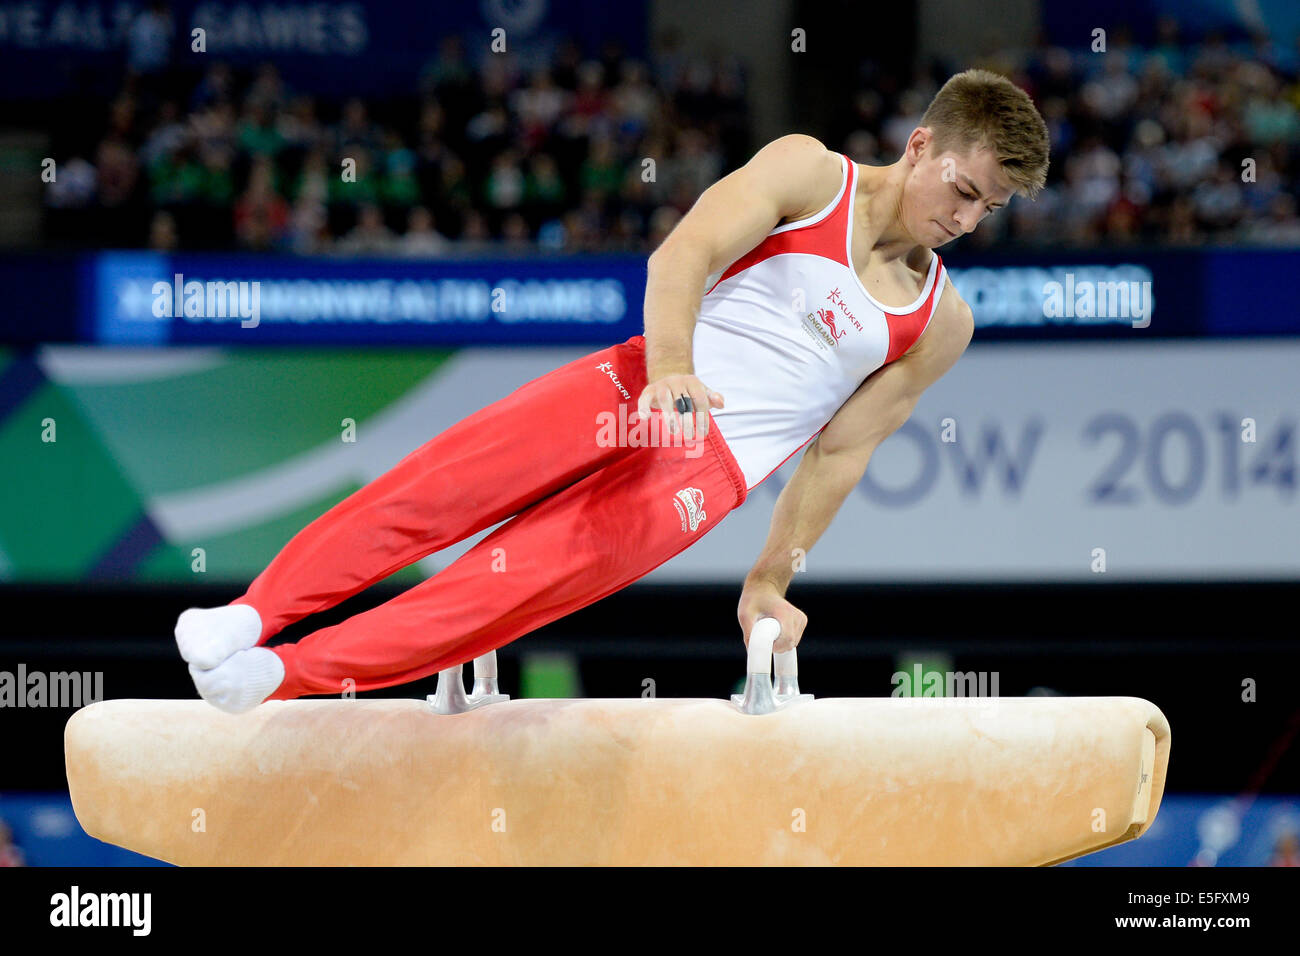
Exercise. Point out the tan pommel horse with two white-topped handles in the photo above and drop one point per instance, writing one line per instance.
(769, 777)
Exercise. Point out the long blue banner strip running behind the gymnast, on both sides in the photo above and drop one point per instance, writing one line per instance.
(135, 299)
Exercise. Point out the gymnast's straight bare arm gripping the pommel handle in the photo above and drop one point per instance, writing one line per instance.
(837, 460)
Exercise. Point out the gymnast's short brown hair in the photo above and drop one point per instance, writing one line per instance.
(980, 109)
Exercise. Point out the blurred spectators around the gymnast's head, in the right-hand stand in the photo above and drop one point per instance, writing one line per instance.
(1184, 142)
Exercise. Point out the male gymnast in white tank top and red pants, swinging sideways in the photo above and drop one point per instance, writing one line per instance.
(798, 304)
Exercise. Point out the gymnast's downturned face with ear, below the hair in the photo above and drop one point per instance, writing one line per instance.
(950, 194)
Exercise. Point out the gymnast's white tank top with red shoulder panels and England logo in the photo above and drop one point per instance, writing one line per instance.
(788, 332)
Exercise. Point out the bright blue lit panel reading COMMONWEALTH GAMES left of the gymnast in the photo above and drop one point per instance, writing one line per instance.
(144, 299)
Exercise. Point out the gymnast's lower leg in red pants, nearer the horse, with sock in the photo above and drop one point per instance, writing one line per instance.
(561, 555)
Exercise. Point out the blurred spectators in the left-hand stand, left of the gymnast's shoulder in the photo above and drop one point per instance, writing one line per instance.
(588, 155)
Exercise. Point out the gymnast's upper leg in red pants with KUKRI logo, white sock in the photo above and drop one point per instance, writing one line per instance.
(492, 465)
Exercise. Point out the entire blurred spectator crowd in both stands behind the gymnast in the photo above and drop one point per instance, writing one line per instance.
(1182, 142)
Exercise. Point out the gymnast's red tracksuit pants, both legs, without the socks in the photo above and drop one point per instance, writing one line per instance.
(593, 512)
